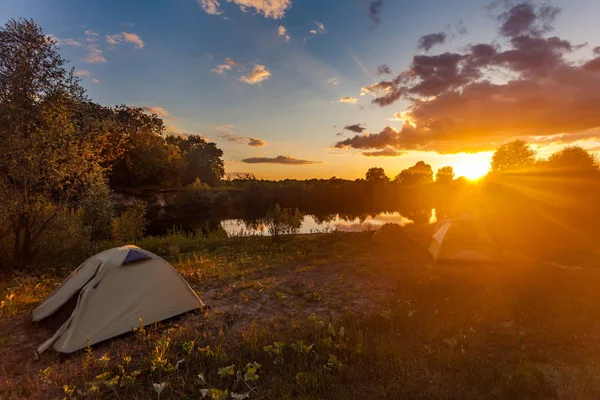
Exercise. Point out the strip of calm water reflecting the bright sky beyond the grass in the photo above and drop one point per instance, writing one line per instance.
(237, 227)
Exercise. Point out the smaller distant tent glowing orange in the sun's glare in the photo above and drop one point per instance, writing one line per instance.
(463, 239)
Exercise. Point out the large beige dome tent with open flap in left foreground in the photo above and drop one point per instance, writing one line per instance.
(112, 293)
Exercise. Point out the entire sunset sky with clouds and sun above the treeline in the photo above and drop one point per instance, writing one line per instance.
(313, 88)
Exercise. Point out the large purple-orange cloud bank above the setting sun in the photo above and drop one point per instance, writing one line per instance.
(475, 99)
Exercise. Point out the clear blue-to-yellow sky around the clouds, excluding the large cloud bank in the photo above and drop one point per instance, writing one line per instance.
(163, 54)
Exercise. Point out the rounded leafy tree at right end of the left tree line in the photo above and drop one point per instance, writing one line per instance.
(202, 159)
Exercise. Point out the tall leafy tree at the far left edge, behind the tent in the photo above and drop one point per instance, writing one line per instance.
(45, 161)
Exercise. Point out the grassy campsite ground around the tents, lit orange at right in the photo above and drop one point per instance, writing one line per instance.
(329, 317)
